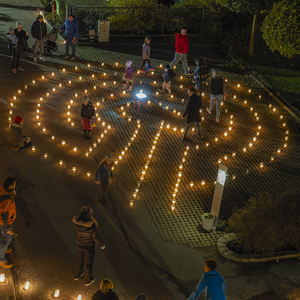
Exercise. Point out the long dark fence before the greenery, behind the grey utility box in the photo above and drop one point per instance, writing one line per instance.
(138, 20)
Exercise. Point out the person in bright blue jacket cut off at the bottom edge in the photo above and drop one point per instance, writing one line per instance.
(213, 281)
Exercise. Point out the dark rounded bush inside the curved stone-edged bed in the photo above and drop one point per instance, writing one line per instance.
(268, 224)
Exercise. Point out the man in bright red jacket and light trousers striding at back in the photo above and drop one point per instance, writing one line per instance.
(181, 50)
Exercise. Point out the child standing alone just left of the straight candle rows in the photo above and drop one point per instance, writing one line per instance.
(104, 175)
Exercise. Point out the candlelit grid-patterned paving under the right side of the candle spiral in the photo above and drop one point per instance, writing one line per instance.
(180, 226)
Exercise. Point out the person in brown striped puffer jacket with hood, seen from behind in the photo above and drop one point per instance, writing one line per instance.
(87, 237)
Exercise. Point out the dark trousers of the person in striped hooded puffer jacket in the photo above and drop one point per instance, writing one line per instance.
(84, 262)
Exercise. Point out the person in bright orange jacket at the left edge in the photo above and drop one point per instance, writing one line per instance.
(7, 217)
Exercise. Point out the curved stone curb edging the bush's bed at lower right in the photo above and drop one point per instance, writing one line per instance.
(248, 258)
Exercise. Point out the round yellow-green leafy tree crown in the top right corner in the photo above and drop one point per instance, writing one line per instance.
(281, 28)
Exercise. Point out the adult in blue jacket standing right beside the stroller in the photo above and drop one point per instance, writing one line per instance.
(71, 28)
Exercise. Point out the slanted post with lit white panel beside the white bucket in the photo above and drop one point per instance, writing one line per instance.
(216, 204)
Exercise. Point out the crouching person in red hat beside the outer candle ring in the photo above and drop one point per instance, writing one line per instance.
(18, 139)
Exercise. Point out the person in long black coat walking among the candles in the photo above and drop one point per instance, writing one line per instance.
(193, 112)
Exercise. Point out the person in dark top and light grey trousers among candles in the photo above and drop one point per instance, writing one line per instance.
(216, 93)
